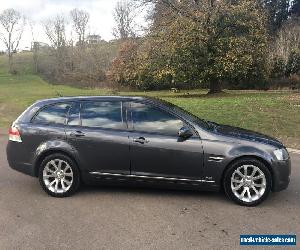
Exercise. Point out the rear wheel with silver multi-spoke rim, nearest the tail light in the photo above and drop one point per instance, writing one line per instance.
(59, 175)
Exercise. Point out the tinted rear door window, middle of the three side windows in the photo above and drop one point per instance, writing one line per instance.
(101, 114)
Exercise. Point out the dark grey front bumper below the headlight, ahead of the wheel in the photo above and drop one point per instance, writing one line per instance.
(281, 175)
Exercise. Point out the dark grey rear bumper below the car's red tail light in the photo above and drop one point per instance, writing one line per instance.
(18, 164)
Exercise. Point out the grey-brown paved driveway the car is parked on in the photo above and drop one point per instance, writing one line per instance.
(125, 218)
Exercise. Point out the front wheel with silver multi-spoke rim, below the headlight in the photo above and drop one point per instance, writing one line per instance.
(247, 182)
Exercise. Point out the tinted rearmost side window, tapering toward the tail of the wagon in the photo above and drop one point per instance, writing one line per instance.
(53, 114)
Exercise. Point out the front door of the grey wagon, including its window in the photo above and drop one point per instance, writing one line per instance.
(155, 148)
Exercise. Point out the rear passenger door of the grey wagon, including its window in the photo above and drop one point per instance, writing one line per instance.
(98, 131)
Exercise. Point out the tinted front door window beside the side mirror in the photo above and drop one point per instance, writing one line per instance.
(146, 118)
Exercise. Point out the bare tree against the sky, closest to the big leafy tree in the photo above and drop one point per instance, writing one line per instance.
(124, 16)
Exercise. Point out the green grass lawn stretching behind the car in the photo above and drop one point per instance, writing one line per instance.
(272, 113)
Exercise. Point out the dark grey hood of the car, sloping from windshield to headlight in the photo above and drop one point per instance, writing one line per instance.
(245, 134)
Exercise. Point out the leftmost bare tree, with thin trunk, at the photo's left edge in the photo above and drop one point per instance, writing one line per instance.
(12, 23)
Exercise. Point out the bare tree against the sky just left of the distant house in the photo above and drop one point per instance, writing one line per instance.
(80, 20)
